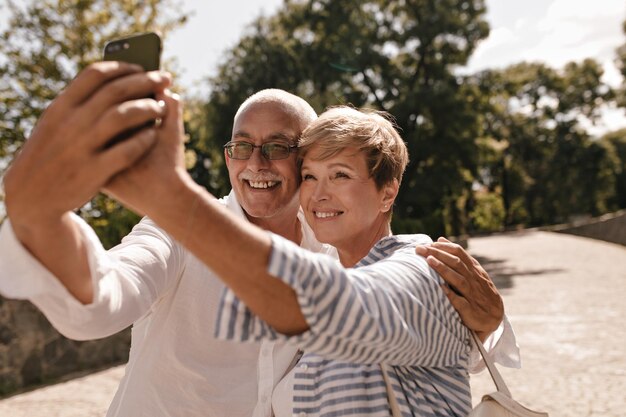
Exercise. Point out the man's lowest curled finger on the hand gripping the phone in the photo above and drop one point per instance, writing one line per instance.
(124, 154)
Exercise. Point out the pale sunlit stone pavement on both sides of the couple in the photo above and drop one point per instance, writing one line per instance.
(563, 294)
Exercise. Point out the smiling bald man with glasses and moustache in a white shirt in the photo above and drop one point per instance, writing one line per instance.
(51, 257)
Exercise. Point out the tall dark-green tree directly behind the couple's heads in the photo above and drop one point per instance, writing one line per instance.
(393, 56)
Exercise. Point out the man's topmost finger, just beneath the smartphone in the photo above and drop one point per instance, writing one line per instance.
(93, 77)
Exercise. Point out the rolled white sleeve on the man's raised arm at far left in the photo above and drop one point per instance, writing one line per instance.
(127, 280)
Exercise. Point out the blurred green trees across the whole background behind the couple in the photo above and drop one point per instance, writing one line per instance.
(490, 150)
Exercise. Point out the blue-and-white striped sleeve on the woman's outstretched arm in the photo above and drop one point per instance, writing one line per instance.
(391, 311)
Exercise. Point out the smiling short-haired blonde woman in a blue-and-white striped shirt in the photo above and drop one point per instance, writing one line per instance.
(381, 304)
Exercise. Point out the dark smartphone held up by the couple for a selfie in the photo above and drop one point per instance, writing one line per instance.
(142, 49)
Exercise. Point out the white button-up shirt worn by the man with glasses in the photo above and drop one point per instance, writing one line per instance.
(176, 367)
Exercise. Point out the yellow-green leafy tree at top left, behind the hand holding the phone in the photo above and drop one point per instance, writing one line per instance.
(45, 45)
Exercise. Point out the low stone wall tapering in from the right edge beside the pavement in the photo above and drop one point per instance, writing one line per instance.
(610, 228)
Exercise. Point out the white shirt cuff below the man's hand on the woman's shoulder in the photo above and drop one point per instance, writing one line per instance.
(501, 346)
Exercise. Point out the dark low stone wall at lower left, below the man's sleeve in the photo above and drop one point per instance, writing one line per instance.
(32, 352)
